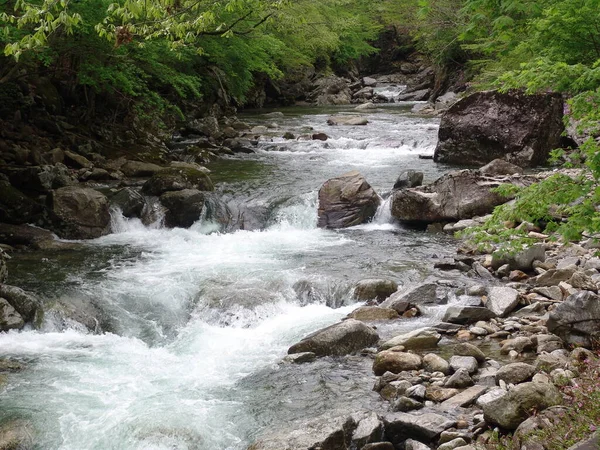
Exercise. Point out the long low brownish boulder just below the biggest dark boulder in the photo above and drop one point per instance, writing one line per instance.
(457, 195)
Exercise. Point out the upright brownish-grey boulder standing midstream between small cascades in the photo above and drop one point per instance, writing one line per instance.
(346, 201)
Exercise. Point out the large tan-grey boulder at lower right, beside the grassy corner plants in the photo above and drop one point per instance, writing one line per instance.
(513, 408)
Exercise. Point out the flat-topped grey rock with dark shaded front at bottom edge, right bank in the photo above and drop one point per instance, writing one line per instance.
(426, 427)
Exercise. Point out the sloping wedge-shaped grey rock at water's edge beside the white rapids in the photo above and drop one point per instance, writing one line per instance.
(343, 338)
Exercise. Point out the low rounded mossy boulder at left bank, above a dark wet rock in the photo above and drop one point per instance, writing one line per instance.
(177, 179)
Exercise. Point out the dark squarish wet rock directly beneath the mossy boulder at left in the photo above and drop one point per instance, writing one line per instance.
(183, 207)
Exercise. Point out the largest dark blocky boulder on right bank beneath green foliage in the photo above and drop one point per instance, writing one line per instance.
(488, 125)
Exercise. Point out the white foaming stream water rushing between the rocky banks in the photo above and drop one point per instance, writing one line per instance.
(200, 320)
